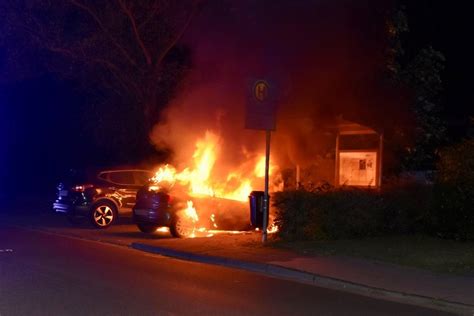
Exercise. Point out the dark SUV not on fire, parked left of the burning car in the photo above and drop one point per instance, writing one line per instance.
(100, 196)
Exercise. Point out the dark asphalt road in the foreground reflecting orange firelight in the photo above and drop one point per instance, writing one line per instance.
(44, 274)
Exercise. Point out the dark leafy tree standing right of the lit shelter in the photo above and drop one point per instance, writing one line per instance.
(422, 76)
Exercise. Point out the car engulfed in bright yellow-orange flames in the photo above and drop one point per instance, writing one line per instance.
(203, 195)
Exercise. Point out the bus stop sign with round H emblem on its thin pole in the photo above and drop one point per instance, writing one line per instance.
(261, 115)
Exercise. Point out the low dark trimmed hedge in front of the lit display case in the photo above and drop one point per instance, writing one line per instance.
(353, 213)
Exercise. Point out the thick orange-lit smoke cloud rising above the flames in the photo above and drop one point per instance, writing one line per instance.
(325, 55)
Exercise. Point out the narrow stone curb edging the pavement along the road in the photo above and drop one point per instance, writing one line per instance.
(313, 279)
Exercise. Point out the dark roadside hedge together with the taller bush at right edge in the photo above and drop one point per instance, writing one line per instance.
(444, 209)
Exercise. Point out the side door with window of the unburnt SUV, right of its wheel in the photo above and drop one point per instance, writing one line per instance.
(126, 188)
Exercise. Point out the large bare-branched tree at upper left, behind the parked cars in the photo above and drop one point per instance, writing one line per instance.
(124, 52)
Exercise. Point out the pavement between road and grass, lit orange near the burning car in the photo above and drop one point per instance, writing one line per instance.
(369, 278)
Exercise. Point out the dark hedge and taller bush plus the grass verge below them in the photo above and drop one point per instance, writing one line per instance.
(423, 225)
